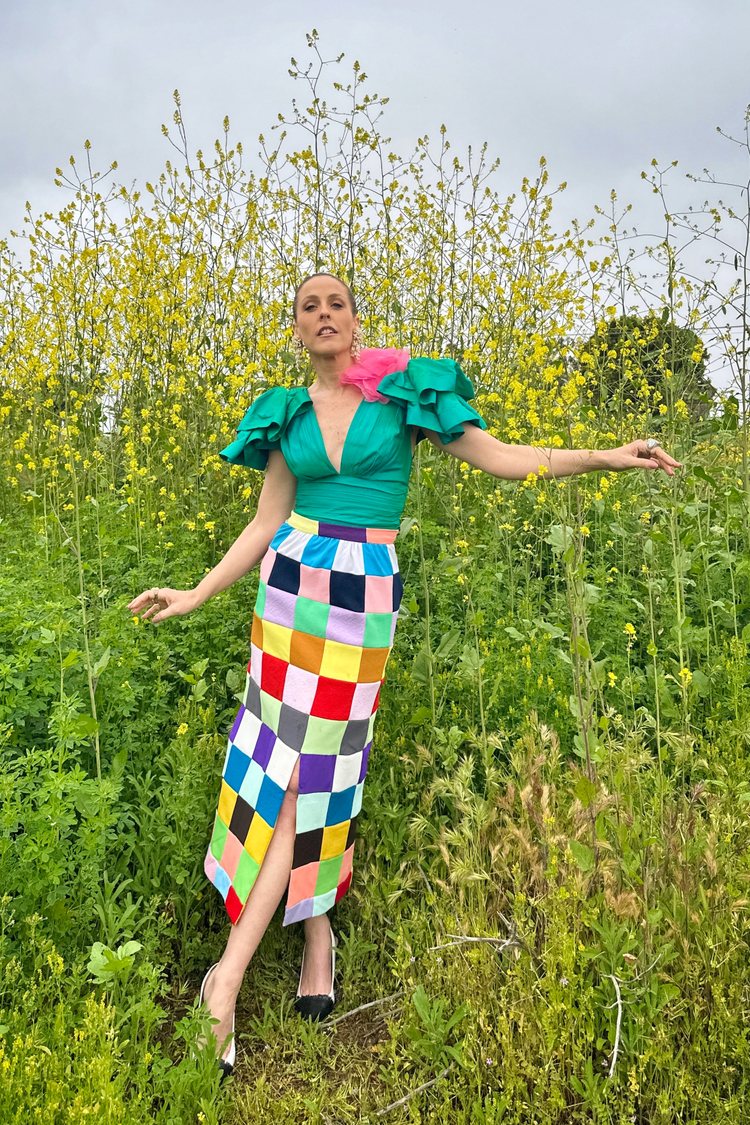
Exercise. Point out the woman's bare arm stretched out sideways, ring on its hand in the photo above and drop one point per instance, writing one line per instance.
(514, 463)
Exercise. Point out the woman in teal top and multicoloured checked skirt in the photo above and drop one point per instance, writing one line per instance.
(338, 458)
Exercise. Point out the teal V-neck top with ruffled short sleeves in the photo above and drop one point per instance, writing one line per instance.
(371, 489)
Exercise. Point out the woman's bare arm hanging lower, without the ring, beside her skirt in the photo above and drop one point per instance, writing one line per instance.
(275, 505)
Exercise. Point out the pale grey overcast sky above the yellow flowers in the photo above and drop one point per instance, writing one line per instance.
(599, 87)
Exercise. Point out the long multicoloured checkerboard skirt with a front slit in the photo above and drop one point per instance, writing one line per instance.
(323, 631)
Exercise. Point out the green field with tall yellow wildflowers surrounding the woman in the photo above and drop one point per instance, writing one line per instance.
(549, 919)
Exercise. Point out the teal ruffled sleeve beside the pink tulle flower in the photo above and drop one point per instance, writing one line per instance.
(435, 393)
